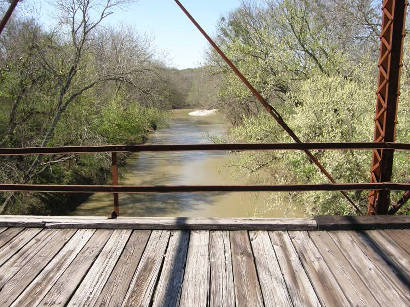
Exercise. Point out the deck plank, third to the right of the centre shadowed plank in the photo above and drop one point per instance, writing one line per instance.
(247, 289)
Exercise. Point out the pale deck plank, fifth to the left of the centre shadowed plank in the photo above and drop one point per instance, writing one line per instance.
(35, 292)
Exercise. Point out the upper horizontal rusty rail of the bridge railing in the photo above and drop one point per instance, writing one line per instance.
(198, 147)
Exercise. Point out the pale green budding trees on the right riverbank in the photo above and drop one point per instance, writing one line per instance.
(315, 62)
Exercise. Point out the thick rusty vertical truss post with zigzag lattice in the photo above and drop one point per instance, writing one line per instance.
(390, 62)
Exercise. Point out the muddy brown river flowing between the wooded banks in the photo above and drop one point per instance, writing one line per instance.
(186, 168)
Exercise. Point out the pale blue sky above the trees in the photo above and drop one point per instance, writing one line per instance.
(174, 36)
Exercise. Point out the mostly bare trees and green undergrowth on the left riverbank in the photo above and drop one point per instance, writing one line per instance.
(102, 104)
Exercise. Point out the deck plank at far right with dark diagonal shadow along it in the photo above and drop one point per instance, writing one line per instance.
(391, 270)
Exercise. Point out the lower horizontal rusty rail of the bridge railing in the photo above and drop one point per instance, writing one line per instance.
(201, 188)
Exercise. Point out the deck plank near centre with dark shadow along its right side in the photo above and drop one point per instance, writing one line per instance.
(169, 286)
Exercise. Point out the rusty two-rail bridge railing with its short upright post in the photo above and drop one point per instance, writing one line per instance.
(115, 188)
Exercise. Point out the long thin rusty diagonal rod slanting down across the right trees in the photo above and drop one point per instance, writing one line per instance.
(271, 110)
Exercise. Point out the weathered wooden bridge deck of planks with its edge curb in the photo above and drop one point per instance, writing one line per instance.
(64, 262)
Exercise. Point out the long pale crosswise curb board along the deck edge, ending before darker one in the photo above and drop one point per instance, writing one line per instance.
(154, 223)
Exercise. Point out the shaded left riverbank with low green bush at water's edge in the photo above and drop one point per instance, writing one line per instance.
(87, 169)
